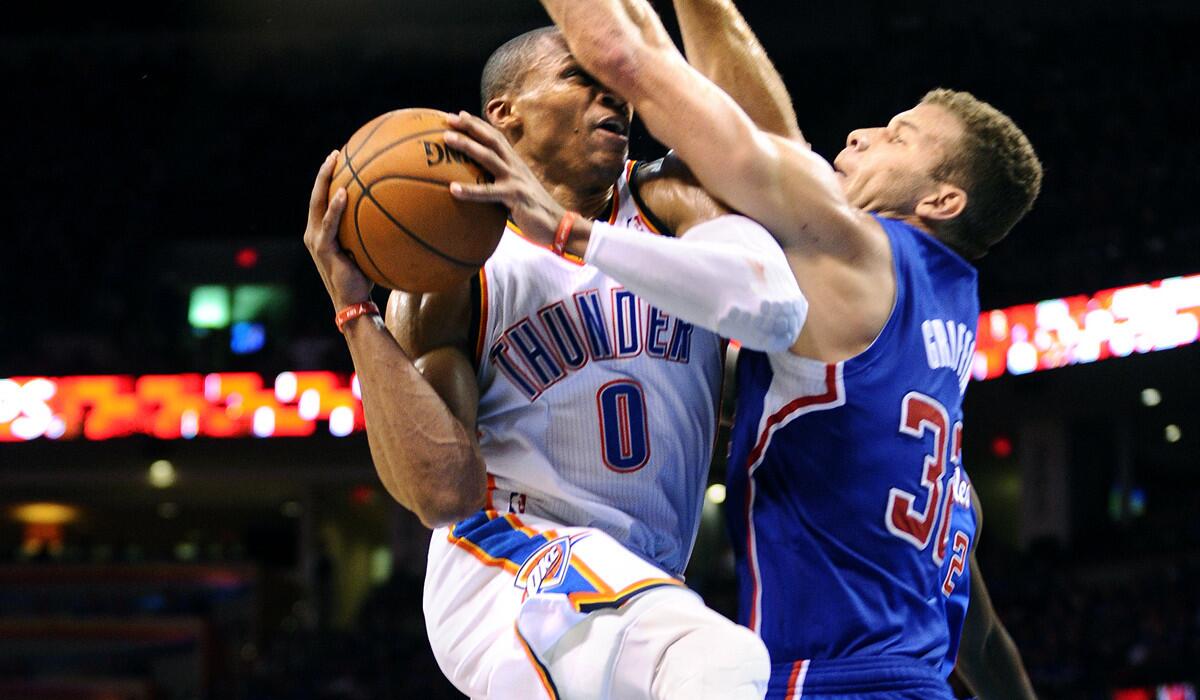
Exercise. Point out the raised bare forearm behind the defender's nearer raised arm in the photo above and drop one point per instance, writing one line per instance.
(723, 47)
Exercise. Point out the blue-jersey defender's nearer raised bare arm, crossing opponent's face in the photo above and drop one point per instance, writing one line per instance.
(781, 183)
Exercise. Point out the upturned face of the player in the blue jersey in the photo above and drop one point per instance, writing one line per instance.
(890, 169)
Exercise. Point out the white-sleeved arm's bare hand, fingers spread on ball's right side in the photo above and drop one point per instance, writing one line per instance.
(530, 205)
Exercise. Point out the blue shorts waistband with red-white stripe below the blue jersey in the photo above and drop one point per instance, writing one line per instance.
(859, 674)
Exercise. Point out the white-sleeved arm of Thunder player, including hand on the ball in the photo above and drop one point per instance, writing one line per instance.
(749, 291)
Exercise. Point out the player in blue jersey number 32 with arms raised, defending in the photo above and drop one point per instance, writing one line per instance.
(854, 519)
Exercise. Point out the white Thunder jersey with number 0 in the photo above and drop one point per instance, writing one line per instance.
(596, 408)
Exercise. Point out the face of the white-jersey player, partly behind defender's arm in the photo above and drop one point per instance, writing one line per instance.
(569, 118)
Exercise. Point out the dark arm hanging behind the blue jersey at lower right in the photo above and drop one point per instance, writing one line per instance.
(988, 660)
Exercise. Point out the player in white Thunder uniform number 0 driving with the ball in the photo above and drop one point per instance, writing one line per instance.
(555, 429)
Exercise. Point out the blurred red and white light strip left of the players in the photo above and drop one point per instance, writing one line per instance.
(178, 406)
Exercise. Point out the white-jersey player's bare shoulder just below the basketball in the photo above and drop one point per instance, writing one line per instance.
(424, 322)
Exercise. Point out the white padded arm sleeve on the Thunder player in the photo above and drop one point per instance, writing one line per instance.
(728, 276)
